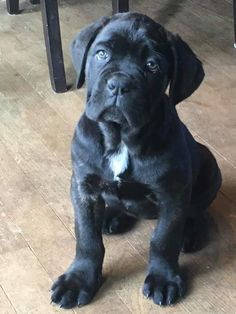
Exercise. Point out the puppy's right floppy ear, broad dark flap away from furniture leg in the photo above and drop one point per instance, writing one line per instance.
(187, 71)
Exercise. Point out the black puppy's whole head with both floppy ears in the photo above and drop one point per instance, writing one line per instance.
(128, 61)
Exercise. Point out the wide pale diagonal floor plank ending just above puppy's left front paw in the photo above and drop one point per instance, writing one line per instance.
(32, 220)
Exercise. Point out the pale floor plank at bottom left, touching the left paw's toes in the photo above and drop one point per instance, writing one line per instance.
(25, 282)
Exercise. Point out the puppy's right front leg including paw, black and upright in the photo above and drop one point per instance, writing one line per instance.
(163, 283)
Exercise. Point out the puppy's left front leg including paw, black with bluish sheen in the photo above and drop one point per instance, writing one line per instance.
(78, 285)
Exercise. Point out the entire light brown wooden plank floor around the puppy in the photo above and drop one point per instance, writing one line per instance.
(36, 126)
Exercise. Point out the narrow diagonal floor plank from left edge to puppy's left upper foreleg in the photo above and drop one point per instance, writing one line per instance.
(36, 161)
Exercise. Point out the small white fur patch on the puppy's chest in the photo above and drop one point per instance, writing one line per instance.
(119, 161)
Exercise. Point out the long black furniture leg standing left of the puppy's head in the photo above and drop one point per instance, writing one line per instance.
(52, 35)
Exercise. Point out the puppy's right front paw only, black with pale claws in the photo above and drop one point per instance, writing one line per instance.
(162, 290)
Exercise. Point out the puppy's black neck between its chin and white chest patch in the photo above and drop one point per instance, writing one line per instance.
(140, 140)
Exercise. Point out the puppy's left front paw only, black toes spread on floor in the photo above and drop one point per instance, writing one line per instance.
(73, 289)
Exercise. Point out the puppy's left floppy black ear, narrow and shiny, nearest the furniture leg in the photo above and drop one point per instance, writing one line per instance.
(80, 47)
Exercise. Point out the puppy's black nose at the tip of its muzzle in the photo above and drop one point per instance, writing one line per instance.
(118, 85)
